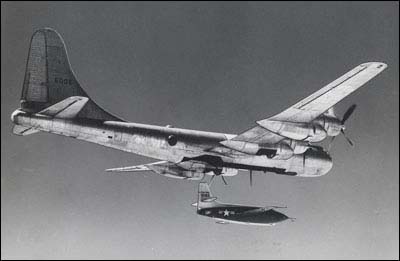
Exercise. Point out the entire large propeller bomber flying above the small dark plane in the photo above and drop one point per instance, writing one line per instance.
(53, 101)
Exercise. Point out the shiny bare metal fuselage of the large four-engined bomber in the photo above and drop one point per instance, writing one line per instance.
(151, 141)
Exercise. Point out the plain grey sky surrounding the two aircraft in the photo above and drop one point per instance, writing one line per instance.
(207, 66)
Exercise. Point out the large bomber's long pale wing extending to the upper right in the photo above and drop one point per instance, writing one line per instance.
(316, 104)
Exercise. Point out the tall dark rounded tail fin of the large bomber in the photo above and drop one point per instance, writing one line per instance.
(49, 78)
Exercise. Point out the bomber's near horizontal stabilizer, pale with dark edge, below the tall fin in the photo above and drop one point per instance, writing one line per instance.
(66, 109)
